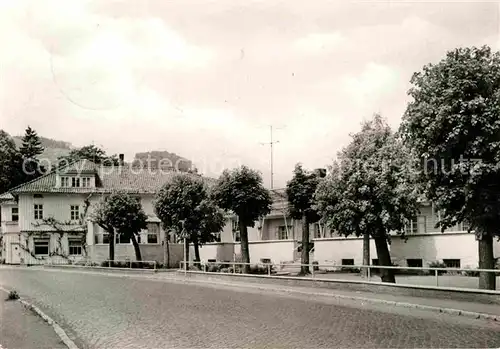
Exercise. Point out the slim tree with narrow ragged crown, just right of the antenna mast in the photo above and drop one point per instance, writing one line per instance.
(300, 194)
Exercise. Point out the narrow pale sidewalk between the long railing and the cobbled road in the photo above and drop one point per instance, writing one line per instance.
(445, 305)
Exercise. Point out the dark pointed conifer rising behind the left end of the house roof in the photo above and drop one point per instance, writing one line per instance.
(31, 148)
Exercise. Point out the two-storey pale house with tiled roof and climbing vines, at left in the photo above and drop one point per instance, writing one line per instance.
(48, 220)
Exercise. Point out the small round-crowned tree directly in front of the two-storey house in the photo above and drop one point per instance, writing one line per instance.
(121, 214)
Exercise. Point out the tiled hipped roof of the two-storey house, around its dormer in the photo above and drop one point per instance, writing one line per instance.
(109, 179)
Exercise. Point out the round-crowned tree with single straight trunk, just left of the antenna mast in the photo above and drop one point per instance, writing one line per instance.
(241, 191)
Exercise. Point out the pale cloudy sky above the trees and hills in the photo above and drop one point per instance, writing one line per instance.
(205, 79)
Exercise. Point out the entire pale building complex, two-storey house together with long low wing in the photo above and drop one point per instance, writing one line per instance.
(65, 195)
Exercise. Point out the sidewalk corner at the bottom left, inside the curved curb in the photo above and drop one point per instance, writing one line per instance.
(22, 329)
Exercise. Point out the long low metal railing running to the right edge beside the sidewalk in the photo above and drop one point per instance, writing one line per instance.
(443, 277)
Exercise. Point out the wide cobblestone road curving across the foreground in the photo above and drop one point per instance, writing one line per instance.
(102, 311)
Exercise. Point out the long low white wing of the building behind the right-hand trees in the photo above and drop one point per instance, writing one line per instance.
(277, 238)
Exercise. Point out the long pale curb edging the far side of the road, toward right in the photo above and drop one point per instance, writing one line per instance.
(451, 311)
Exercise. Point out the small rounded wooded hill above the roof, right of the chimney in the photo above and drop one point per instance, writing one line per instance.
(162, 159)
